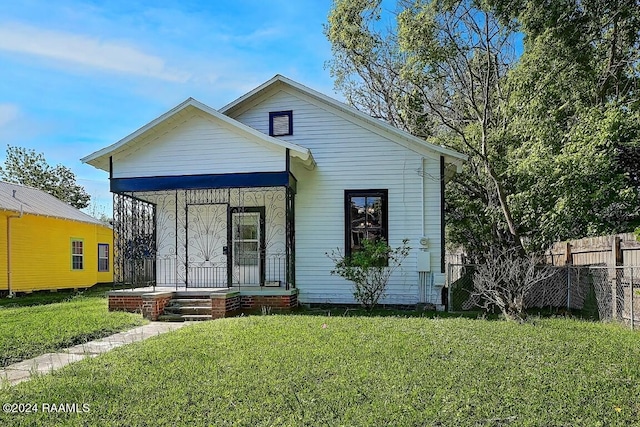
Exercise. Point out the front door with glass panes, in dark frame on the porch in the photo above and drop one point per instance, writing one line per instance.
(247, 246)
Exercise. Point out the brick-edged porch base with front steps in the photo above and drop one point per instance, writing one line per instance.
(201, 304)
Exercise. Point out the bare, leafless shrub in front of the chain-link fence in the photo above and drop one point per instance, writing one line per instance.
(505, 279)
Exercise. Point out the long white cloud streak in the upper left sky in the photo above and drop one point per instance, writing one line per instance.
(86, 51)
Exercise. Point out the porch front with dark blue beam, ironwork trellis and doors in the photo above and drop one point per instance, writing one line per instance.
(206, 235)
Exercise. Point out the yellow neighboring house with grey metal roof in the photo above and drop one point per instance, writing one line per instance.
(48, 244)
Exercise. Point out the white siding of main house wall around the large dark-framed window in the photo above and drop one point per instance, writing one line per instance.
(351, 157)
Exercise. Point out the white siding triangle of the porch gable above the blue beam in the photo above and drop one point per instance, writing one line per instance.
(197, 144)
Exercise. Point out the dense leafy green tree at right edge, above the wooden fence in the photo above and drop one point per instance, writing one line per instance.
(574, 112)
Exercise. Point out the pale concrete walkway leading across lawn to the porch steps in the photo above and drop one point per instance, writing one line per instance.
(22, 371)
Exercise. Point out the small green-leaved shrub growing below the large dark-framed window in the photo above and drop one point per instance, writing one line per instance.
(369, 268)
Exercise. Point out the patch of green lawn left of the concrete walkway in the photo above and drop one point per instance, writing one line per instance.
(33, 325)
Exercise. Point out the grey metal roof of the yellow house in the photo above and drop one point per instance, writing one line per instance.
(20, 198)
